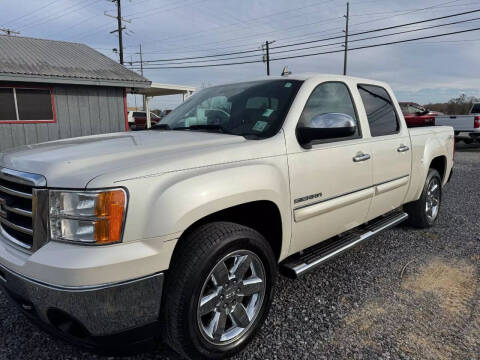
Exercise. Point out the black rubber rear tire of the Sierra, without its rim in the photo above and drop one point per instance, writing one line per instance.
(417, 210)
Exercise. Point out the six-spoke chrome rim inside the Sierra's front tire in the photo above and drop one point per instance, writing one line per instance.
(231, 297)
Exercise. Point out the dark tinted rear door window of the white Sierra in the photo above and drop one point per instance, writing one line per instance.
(381, 114)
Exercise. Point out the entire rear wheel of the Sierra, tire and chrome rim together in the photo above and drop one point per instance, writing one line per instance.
(424, 212)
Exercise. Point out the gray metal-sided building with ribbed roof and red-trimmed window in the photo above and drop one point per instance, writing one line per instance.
(51, 90)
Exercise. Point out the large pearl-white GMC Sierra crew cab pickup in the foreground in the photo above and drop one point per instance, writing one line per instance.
(179, 231)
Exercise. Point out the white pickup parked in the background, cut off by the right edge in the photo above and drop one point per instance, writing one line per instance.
(466, 127)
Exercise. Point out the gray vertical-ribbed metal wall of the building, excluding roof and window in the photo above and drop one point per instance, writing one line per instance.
(81, 110)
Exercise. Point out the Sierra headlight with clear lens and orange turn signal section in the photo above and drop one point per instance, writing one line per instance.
(89, 217)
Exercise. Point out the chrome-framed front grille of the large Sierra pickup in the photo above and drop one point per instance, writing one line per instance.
(19, 216)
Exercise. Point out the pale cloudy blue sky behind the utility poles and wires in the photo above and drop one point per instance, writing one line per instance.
(425, 71)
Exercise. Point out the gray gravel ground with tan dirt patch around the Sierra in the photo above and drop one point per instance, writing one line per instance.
(407, 294)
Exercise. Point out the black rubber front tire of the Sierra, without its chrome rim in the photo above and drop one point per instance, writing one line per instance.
(191, 266)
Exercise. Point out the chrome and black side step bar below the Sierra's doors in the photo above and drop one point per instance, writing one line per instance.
(317, 255)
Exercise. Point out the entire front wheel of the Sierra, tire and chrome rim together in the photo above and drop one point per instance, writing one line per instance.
(218, 290)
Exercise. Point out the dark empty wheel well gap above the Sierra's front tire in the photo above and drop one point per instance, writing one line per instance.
(262, 216)
